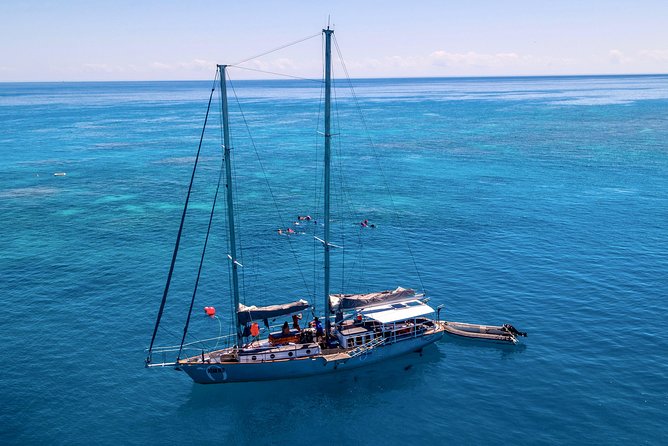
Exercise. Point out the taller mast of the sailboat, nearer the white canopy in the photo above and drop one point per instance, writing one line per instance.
(328, 136)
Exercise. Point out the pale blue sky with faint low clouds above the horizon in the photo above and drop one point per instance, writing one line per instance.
(77, 40)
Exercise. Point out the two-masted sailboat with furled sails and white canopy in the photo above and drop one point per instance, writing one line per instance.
(358, 330)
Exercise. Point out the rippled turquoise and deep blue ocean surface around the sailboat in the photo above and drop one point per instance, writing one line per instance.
(542, 202)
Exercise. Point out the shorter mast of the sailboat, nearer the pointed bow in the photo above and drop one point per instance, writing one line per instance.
(228, 187)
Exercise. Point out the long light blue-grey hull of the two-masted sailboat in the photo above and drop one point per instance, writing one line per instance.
(230, 372)
